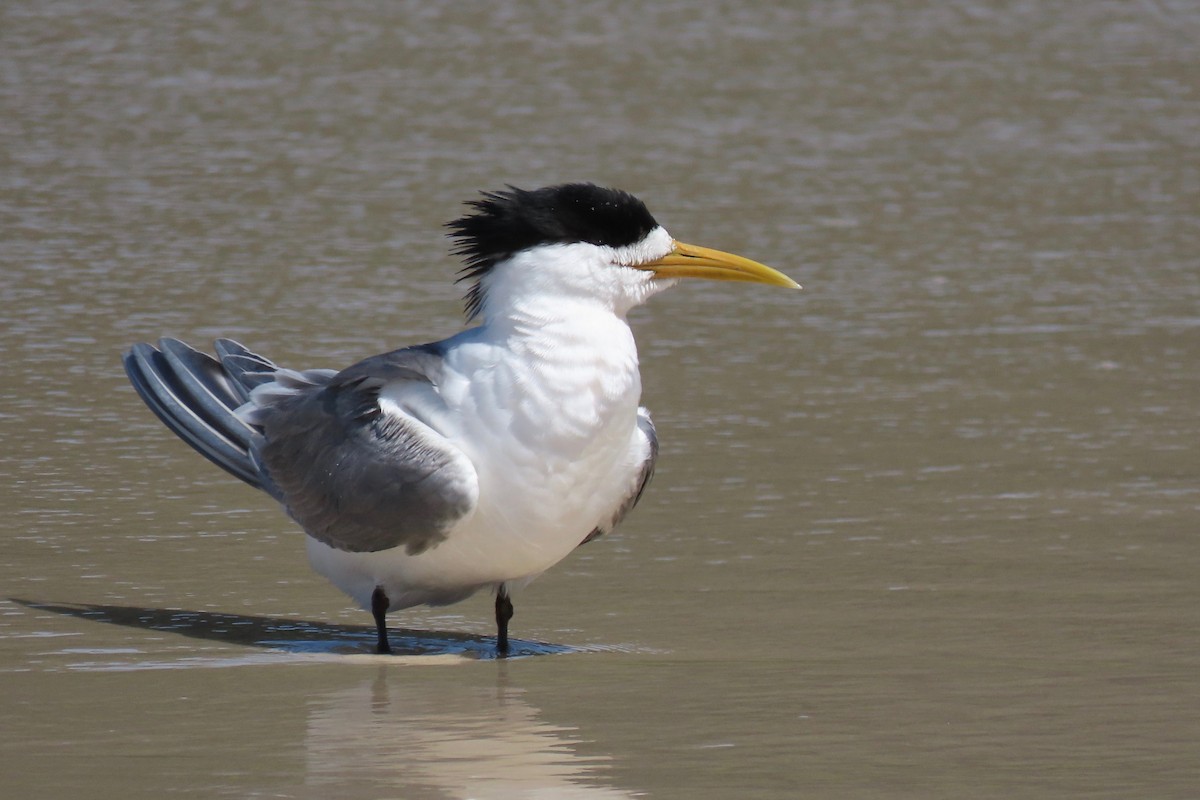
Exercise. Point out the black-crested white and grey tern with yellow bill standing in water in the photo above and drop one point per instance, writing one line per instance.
(430, 473)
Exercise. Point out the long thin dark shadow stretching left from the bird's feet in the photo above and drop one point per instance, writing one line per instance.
(292, 635)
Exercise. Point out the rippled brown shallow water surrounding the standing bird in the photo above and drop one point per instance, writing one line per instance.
(927, 531)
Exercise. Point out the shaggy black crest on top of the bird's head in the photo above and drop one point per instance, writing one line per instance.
(505, 224)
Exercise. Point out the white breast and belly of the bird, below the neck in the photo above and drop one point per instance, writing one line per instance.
(556, 449)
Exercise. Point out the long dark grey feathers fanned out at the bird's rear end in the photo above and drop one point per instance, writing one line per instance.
(196, 396)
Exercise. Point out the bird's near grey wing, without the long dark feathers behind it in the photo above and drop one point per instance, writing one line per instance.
(355, 477)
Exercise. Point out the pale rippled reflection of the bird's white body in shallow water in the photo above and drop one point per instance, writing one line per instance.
(461, 742)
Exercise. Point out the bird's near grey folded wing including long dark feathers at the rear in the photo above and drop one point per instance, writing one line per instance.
(357, 476)
